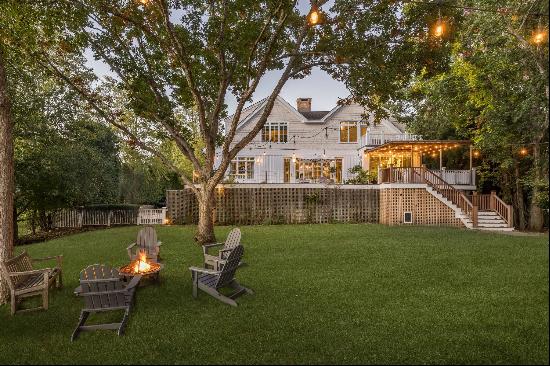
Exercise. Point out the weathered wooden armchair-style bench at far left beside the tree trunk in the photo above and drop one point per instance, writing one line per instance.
(26, 281)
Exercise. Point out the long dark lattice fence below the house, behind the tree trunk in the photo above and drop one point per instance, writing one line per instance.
(250, 204)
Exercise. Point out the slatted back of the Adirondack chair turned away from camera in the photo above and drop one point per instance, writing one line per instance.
(90, 282)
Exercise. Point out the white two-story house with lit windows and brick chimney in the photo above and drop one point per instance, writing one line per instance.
(300, 145)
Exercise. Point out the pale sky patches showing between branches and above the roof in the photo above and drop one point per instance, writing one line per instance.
(319, 86)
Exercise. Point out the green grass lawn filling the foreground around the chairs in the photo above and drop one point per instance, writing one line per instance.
(323, 294)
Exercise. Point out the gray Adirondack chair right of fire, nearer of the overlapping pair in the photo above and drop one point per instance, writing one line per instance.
(211, 281)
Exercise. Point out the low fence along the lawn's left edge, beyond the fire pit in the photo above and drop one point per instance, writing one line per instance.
(79, 217)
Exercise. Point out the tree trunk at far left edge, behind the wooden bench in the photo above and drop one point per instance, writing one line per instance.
(6, 175)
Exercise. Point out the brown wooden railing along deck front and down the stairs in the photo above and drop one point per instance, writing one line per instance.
(469, 205)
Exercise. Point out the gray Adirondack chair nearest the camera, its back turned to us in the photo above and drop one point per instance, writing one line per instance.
(103, 290)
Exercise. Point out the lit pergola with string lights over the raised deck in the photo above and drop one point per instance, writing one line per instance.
(410, 153)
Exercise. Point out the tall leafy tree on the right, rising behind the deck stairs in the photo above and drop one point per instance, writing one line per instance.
(494, 90)
